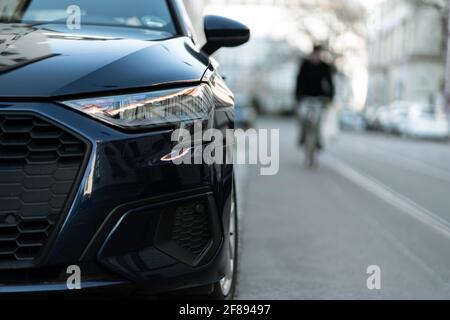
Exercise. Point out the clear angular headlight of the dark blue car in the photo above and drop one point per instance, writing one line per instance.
(143, 110)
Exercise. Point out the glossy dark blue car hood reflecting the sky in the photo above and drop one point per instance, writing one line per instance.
(50, 61)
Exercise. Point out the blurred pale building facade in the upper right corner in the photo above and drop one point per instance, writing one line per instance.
(407, 45)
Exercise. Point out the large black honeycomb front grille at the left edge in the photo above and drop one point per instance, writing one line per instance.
(39, 165)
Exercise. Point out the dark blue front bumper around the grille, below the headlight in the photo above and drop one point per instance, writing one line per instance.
(123, 223)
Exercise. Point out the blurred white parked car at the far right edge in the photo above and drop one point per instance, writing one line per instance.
(426, 122)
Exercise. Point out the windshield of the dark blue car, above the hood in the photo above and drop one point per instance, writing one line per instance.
(147, 14)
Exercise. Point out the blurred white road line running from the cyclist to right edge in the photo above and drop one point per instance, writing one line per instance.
(389, 195)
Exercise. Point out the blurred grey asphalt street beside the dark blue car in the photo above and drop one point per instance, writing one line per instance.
(374, 200)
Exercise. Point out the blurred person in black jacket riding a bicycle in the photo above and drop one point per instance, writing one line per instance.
(314, 81)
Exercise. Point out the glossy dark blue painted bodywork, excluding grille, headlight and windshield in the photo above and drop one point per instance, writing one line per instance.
(123, 168)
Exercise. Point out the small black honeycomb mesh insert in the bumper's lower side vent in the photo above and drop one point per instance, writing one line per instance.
(191, 229)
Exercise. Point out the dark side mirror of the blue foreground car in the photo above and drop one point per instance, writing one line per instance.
(223, 32)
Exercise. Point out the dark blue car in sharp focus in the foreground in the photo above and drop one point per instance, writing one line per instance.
(90, 94)
